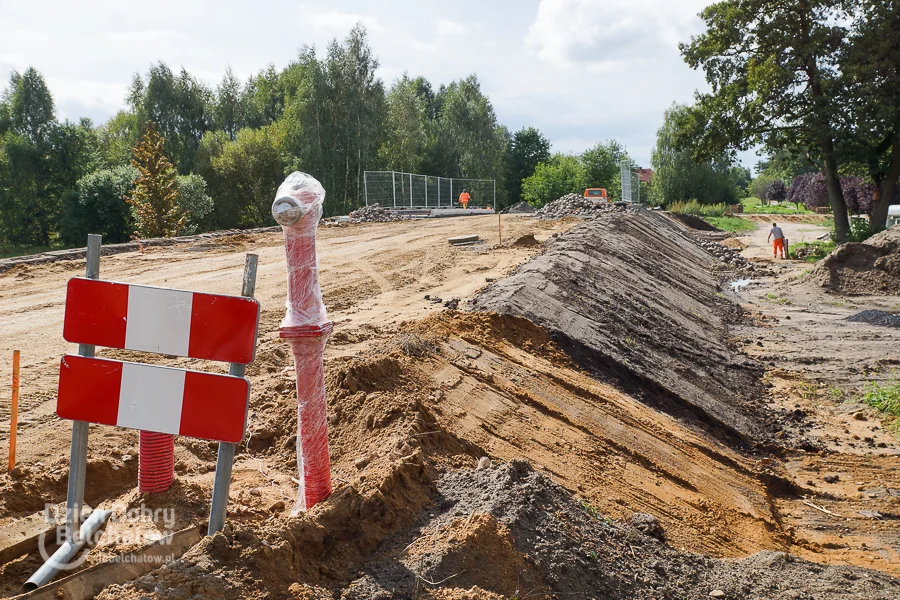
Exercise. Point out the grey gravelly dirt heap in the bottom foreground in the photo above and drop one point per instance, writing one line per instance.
(532, 539)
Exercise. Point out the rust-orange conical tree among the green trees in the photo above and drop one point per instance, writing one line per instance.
(154, 197)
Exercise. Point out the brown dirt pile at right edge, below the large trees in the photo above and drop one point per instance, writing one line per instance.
(869, 268)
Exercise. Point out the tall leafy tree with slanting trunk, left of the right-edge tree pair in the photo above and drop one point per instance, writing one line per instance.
(773, 70)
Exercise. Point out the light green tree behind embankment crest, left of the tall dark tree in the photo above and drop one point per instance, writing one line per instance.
(681, 177)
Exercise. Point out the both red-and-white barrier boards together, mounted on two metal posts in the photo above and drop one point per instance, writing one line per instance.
(163, 321)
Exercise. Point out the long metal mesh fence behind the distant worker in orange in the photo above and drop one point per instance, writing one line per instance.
(394, 189)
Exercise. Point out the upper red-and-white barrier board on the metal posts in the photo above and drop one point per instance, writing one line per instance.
(164, 321)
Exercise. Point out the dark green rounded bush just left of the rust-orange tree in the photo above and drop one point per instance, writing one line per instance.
(99, 206)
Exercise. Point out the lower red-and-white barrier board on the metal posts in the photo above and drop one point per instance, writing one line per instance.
(152, 398)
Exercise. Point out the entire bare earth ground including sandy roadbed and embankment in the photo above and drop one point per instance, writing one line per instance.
(598, 422)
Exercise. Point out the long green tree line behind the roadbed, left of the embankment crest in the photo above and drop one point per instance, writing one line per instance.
(229, 147)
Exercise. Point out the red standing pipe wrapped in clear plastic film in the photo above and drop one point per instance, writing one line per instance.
(298, 208)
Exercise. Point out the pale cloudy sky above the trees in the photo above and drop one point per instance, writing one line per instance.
(579, 70)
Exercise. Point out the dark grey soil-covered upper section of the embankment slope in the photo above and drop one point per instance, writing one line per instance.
(634, 301)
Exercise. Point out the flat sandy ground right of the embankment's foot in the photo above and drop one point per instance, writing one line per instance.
(818, 364)
